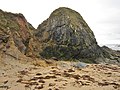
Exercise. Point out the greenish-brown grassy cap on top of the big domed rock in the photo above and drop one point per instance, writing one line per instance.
(74, 17)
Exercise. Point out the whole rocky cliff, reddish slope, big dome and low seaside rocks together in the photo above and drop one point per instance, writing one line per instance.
(64, 36)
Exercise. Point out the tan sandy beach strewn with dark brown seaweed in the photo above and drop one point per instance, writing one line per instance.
(57, 75)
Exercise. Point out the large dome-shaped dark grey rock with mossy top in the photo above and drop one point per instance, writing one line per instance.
(66, 35)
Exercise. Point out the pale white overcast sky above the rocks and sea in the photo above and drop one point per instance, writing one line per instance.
(103, 16)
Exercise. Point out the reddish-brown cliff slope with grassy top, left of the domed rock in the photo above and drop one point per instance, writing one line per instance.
(15, 33)
